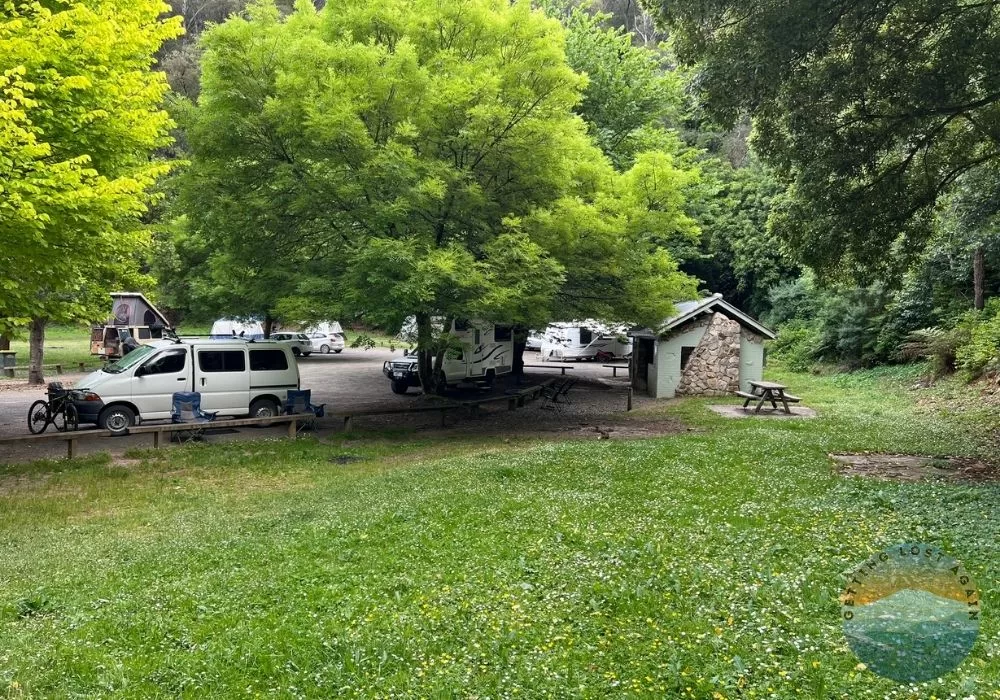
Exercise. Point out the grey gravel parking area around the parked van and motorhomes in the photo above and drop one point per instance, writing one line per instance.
(354, 380)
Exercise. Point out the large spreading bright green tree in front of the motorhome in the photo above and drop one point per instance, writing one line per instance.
(409, 150)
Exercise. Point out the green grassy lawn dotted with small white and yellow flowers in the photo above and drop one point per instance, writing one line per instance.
(703, 565)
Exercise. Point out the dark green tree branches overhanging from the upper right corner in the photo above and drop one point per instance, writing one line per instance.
(872, 110)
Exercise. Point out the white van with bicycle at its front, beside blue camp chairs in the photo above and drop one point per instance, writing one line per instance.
(234, 378)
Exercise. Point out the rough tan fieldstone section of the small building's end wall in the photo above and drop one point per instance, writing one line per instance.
(714, 366)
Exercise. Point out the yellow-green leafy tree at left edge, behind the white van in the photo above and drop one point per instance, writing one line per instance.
(79, 118)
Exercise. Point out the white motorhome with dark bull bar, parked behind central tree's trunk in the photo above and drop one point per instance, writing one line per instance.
(487, 351)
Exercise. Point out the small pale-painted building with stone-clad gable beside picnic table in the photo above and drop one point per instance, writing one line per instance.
(710, 348)
